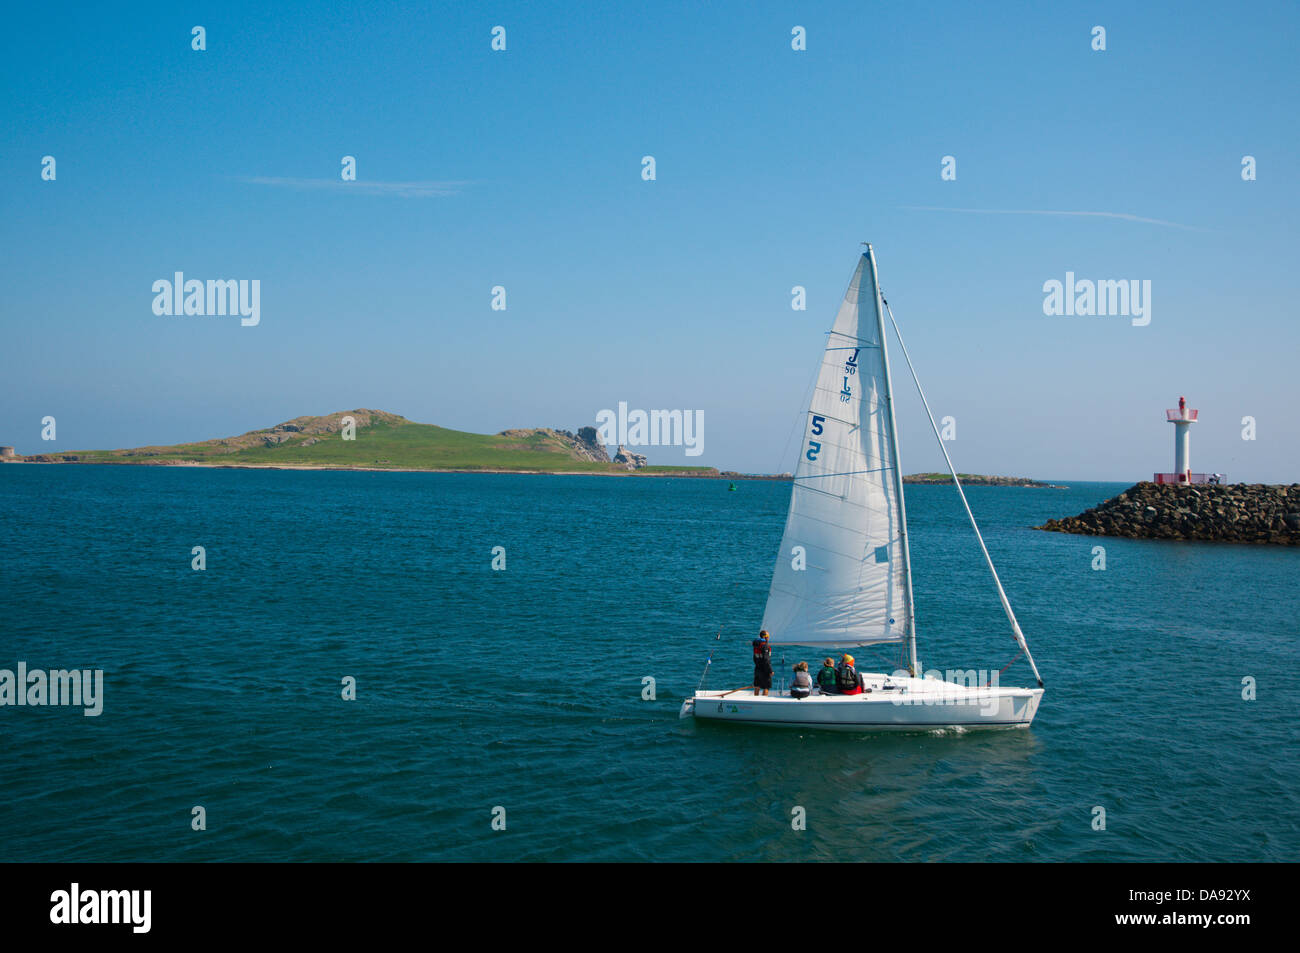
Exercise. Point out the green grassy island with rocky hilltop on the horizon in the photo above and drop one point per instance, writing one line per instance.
(383, 440)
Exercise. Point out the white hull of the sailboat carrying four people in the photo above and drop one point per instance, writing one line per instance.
(891, 705)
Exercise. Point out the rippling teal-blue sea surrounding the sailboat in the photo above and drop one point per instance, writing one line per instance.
(517, 695)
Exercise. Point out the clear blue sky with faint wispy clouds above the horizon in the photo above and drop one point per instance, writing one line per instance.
(772, 167)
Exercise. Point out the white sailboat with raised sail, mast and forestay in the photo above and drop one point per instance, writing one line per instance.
(843, 575)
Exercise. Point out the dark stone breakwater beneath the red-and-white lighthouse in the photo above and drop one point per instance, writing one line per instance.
(1230, 513)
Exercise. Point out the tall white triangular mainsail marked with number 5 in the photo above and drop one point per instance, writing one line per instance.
(843, 574)
